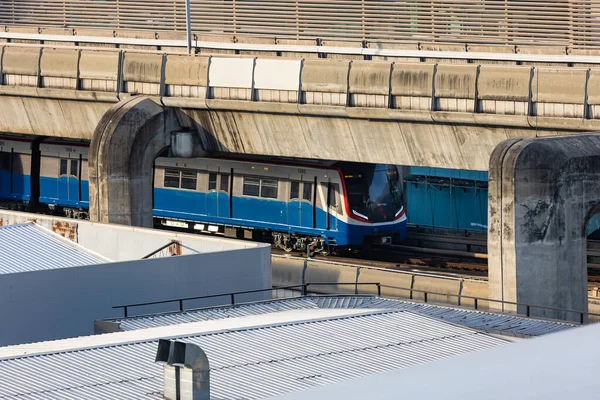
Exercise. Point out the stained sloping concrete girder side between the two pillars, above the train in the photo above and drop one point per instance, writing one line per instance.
(362, 140)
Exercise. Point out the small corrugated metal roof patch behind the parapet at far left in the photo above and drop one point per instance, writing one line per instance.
(30, 247)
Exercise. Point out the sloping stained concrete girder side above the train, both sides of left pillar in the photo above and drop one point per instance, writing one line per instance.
(444, 145)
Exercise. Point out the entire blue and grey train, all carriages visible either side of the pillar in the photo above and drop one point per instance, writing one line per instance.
(321, 205)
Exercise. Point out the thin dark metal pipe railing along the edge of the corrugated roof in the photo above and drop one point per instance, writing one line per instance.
(425, 294)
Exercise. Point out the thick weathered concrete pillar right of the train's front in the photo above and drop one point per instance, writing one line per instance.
(542, 193)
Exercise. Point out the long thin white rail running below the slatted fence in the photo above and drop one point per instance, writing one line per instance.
(324, 50)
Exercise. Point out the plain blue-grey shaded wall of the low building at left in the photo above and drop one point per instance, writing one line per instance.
(60, 303)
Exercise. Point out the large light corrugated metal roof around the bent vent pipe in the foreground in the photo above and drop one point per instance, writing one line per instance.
(248, 363)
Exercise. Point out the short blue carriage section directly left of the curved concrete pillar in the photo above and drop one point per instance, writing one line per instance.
(64, 182)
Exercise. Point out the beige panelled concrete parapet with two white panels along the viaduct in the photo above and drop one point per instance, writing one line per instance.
(512, 95)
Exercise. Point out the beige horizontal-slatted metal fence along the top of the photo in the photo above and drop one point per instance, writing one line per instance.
(573, 23)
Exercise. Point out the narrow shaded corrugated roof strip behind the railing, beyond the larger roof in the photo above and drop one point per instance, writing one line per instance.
(484, 321)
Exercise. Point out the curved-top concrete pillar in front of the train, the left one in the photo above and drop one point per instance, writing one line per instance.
(126, 142)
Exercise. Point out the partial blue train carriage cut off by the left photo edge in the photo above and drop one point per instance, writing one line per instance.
(15, 169)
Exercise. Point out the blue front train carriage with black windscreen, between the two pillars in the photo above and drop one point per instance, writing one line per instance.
(296, 205)
